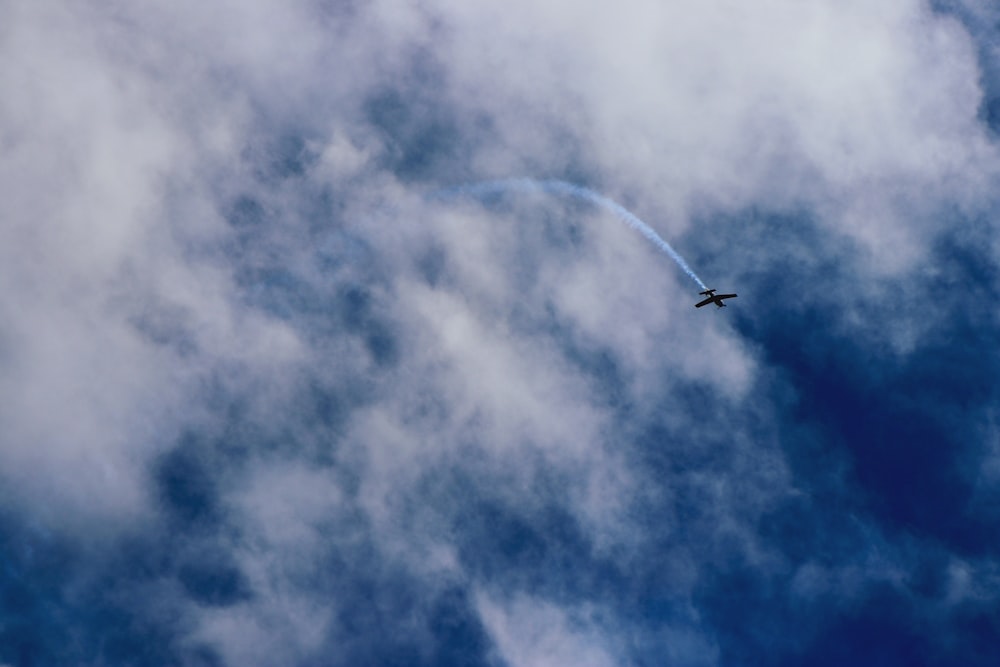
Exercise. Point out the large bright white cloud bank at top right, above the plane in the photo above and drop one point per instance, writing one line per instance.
(863, 111)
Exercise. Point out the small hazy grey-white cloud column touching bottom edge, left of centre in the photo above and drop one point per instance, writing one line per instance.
(284, 514)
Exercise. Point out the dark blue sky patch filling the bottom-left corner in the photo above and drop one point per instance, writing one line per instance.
(62, 603)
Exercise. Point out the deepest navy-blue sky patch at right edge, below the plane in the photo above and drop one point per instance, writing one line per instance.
(906, 428)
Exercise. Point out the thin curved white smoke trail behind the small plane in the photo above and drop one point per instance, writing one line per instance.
(579, 192)
